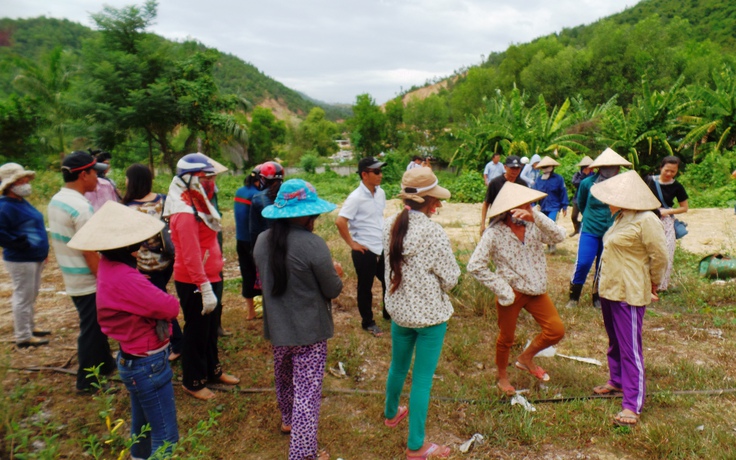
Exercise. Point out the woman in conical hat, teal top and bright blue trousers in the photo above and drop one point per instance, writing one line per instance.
(596, 220)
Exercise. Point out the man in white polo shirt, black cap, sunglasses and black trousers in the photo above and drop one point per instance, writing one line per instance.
(360, 223)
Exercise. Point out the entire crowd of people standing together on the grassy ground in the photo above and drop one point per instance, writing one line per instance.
(116, 261)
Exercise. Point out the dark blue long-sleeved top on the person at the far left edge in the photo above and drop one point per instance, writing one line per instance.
(22, 231)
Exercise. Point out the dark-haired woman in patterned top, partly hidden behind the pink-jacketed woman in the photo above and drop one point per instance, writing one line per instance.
(153, 260)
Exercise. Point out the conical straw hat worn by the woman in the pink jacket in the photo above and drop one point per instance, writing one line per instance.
(115, 226)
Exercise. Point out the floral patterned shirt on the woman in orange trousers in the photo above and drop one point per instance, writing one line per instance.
(520, 266)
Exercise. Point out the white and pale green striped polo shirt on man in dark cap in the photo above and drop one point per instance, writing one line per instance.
(68, 211)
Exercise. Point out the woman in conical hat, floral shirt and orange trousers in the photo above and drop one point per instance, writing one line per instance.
(515, 241)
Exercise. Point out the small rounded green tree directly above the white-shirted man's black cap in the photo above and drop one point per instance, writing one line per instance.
(369, 126)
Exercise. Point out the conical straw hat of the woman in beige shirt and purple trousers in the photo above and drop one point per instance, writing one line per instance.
(626, 191)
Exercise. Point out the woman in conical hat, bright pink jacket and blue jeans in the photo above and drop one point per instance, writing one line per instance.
(131, 310)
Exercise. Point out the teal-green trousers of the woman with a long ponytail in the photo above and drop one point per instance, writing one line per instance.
(427, 342)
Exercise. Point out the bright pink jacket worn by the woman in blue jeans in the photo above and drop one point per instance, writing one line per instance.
(128, 306)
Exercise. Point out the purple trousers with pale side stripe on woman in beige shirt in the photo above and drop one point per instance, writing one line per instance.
(625, 358)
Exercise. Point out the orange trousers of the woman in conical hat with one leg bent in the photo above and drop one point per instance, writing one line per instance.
(544, 313)
